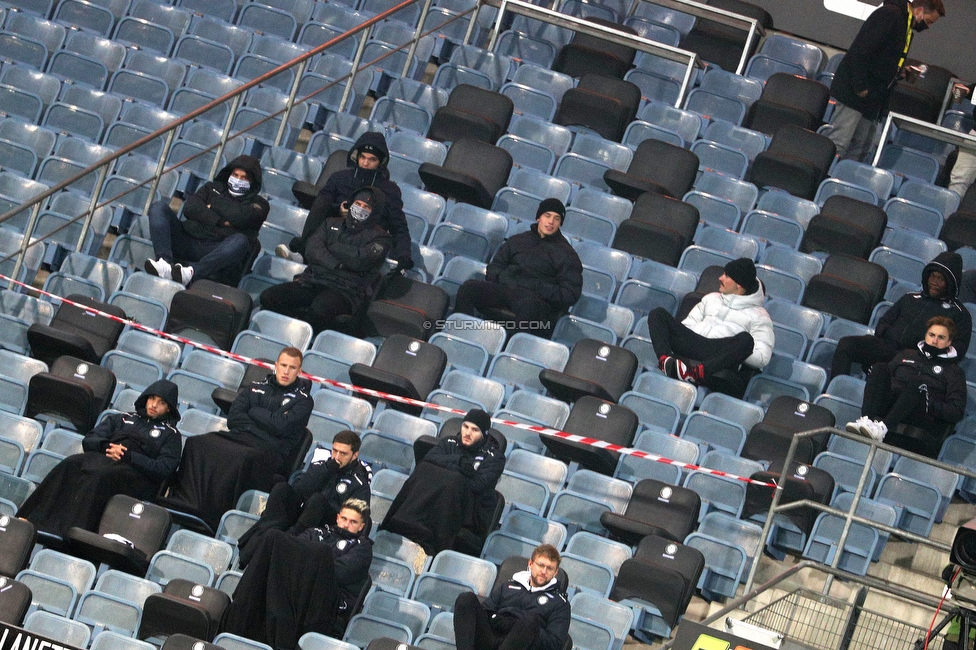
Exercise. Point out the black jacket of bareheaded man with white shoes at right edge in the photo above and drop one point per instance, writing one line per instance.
(945, 380)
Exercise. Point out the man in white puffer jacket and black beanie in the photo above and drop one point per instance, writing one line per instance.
(726, 329)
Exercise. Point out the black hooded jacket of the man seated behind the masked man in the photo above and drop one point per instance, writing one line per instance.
(343, 184)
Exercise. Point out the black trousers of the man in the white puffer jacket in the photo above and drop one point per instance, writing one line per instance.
(671, 338)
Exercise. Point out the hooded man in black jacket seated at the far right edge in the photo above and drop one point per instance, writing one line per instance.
(904, 324)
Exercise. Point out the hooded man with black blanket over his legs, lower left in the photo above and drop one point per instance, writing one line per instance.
(127, 453)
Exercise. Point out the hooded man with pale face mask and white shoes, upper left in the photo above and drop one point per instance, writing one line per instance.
(222, 222)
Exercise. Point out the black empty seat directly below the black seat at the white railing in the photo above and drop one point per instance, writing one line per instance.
(600, 103)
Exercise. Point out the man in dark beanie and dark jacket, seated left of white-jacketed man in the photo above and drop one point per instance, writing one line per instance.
(535, 275)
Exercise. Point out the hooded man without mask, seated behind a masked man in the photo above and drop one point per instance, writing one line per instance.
(366, 166)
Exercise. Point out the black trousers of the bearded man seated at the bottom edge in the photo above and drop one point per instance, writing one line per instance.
(475, 629)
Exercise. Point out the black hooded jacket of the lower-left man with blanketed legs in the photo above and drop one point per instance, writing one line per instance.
(153, 445)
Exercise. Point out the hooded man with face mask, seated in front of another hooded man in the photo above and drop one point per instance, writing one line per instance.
(344, 257)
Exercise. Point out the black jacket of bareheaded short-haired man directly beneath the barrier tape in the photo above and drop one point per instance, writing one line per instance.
(274, 414)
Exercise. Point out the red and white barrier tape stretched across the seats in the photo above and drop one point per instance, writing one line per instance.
(545, 431)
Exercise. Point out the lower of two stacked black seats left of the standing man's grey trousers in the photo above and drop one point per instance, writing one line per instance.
(797, 161)
